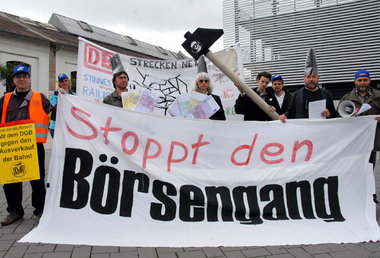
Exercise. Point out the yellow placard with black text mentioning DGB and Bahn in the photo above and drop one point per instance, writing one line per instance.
(18, 154)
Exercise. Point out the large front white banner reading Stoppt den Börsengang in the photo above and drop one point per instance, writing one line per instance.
(123, 178)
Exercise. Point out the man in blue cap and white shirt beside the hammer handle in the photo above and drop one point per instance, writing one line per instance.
(282, 97)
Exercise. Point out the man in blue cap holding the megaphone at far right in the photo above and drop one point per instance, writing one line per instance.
(364, 93)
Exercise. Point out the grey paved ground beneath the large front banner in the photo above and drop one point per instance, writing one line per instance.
(9, 247)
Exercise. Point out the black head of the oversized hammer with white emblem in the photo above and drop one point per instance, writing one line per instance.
(200, 41)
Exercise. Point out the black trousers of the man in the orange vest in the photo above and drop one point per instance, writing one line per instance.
(13, 192)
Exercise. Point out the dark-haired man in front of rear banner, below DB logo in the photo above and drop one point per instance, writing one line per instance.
(120, 83)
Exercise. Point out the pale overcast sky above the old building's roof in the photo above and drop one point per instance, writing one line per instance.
(158, 22)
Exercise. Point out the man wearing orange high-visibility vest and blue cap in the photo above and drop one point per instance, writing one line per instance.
(22, 104)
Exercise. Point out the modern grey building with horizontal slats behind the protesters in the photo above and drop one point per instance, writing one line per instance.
(275, 34)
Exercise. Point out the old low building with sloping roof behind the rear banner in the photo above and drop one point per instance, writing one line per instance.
(49, 49)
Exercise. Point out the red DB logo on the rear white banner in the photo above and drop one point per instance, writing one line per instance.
(97, 59)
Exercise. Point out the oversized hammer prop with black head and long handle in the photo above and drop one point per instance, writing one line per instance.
(198, 44)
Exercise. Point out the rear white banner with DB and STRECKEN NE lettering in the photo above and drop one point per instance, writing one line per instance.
(166, 78)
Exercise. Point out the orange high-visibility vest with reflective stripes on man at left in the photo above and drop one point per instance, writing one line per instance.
(36, 113)
